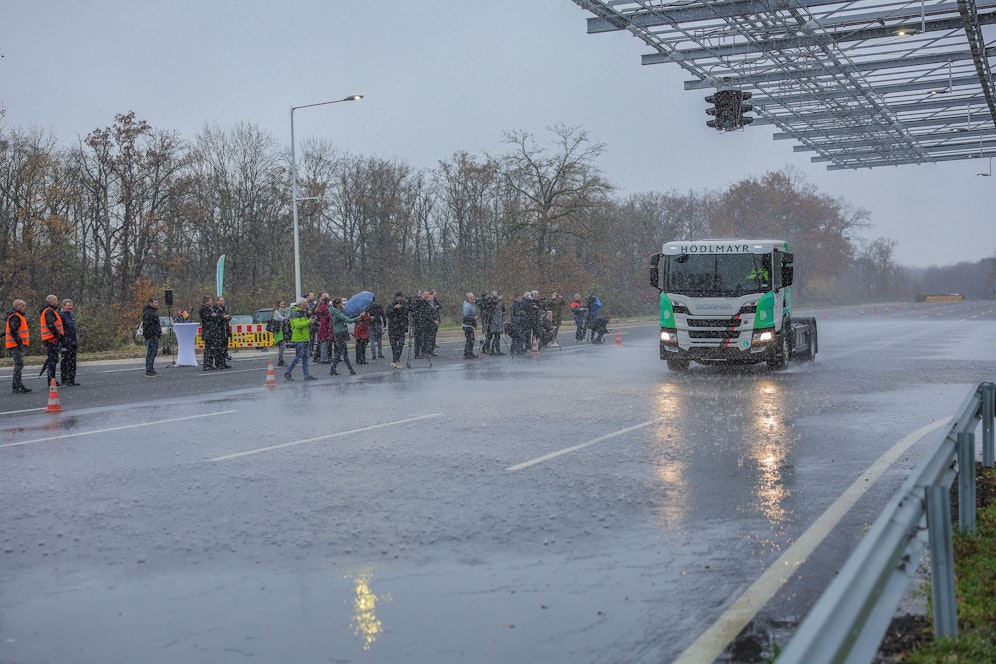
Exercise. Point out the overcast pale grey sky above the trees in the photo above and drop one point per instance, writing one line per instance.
(439, 76)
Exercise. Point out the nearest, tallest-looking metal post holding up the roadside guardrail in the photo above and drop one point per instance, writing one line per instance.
(941, 561)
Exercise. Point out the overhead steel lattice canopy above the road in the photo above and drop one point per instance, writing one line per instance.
(862, 84)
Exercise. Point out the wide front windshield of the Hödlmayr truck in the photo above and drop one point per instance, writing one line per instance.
(718, 275)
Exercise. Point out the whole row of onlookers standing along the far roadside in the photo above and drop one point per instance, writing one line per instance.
(317, 329)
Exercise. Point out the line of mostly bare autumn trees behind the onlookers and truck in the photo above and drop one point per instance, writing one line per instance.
(131, 210)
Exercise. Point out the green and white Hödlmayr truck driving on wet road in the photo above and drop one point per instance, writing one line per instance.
(729, 301)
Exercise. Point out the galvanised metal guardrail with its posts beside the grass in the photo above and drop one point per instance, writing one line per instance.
(849, 621)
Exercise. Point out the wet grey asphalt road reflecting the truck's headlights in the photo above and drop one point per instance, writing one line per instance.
(585, 505)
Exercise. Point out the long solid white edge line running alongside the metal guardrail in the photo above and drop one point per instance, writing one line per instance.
(712, 642)
